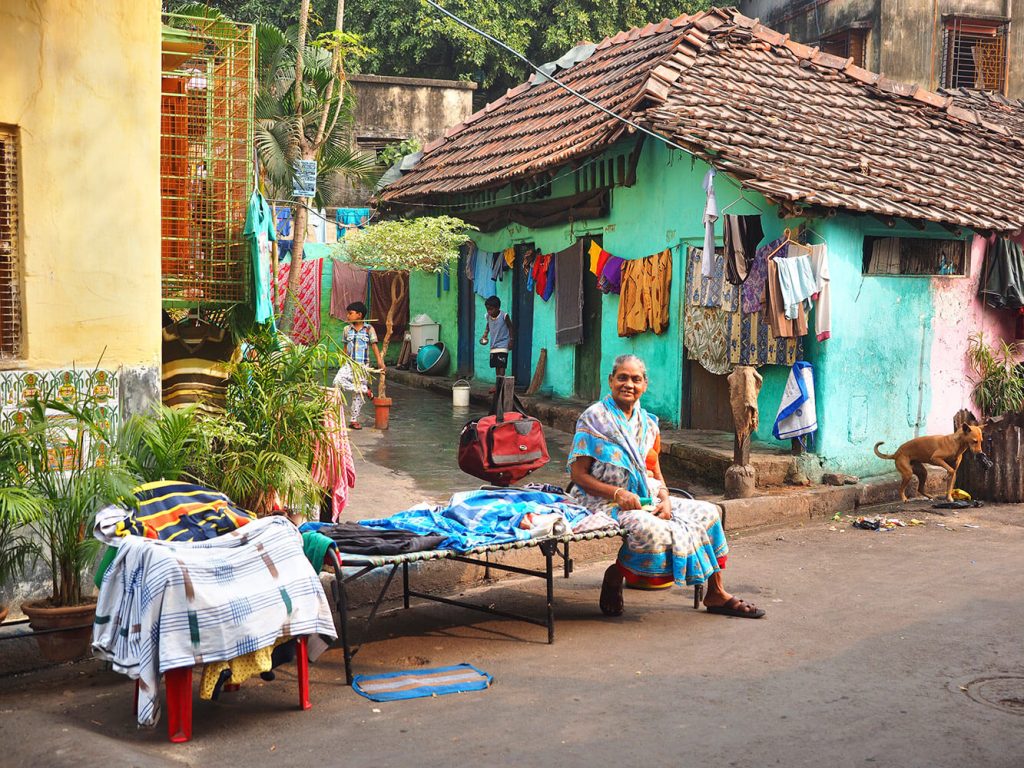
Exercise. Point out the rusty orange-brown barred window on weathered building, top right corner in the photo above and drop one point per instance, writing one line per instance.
(974, 55)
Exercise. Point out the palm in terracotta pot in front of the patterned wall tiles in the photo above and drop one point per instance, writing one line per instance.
(71, 471)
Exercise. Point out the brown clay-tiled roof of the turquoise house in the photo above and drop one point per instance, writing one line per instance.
(805, 129)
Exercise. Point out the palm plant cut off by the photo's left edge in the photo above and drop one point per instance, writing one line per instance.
(19, 507)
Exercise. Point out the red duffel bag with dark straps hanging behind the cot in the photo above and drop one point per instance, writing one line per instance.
(504, 447)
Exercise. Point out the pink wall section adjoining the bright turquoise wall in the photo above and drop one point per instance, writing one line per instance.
(957, 315)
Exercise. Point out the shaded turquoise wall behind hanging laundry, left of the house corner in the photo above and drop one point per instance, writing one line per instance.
(663, 210)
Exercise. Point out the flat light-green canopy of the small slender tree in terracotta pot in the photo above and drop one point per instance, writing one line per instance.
(430, 244)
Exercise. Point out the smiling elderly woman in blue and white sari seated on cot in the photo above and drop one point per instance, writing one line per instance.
(615, 466)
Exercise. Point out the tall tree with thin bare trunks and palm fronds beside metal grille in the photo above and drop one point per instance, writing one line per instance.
(305, 111)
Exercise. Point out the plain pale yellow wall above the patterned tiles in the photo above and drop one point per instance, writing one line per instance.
(81, 80)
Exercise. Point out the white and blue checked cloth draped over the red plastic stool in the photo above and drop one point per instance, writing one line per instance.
(166, 605)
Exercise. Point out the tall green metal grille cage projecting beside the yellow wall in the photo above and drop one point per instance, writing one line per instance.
(206, 163)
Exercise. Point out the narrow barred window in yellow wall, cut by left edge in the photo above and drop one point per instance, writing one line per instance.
(11, 251)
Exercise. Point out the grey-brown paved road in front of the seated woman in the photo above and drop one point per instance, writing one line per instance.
(871, 641)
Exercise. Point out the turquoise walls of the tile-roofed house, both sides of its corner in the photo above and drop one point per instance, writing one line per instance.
(872, 377)
